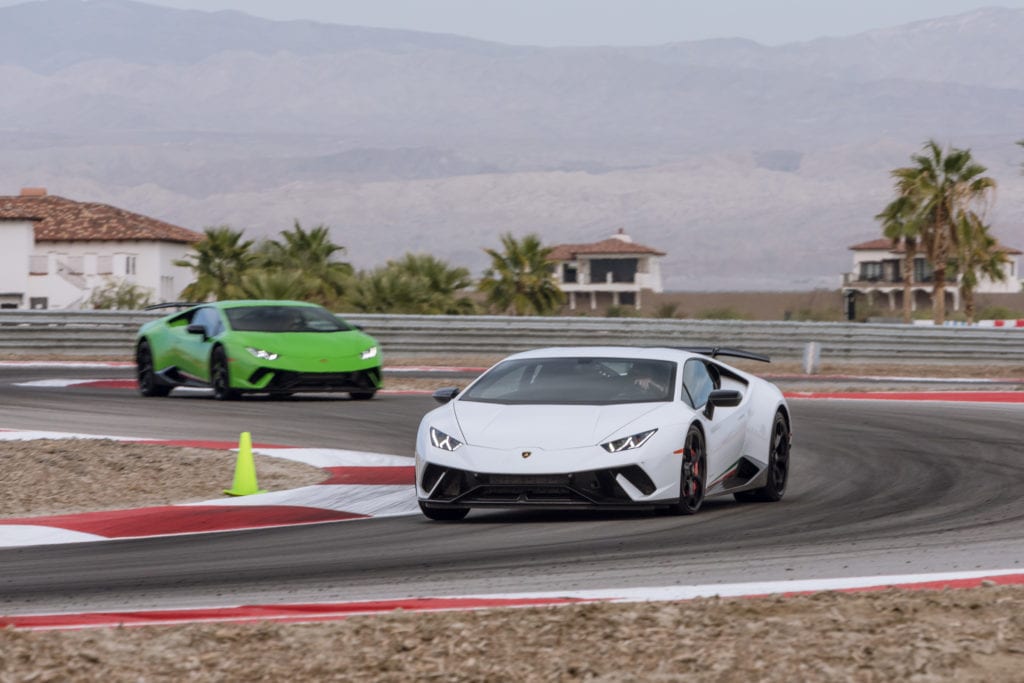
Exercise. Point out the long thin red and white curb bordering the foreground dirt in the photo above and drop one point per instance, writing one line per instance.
(326, 612)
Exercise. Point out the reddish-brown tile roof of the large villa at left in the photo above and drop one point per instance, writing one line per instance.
(59, 220)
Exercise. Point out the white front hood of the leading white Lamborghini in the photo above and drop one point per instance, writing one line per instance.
(549, 428)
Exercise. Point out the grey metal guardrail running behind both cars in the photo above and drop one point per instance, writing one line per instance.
(111, 335)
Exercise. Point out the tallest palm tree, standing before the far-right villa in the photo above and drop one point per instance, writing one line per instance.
(943, 186)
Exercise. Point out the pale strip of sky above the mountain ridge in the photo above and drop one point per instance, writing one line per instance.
(607, 22)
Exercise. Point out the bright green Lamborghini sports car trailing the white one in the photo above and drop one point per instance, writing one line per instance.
(276, 348)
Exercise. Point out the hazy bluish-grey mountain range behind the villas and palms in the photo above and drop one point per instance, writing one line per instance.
(754, 167)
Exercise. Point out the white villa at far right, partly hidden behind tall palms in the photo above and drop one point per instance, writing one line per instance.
(877, 273)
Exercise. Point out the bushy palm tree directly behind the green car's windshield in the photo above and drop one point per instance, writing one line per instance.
(313, 254)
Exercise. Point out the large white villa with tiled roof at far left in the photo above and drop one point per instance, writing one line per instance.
(57, 251)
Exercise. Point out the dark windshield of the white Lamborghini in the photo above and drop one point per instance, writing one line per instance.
(594, 381)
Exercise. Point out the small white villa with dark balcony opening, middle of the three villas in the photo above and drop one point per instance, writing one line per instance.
(613, 272)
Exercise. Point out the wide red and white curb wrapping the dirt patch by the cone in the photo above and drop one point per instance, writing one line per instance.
(358, 486)
